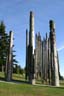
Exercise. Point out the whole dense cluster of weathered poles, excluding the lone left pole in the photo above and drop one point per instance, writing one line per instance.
(42, 55)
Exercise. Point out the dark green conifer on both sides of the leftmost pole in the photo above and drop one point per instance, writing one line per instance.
(4, 46)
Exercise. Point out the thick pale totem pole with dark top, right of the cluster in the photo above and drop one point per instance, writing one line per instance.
(54, 61)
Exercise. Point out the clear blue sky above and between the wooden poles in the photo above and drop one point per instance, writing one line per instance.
(15, 14)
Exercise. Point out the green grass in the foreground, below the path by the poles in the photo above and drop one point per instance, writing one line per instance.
(14, 89)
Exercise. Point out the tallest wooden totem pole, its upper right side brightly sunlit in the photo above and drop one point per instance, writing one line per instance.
(31, 49)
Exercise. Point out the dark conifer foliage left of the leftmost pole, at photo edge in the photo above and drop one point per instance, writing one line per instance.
(4, 42)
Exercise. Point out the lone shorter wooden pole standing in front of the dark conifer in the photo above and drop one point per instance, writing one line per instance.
(9, 58)
